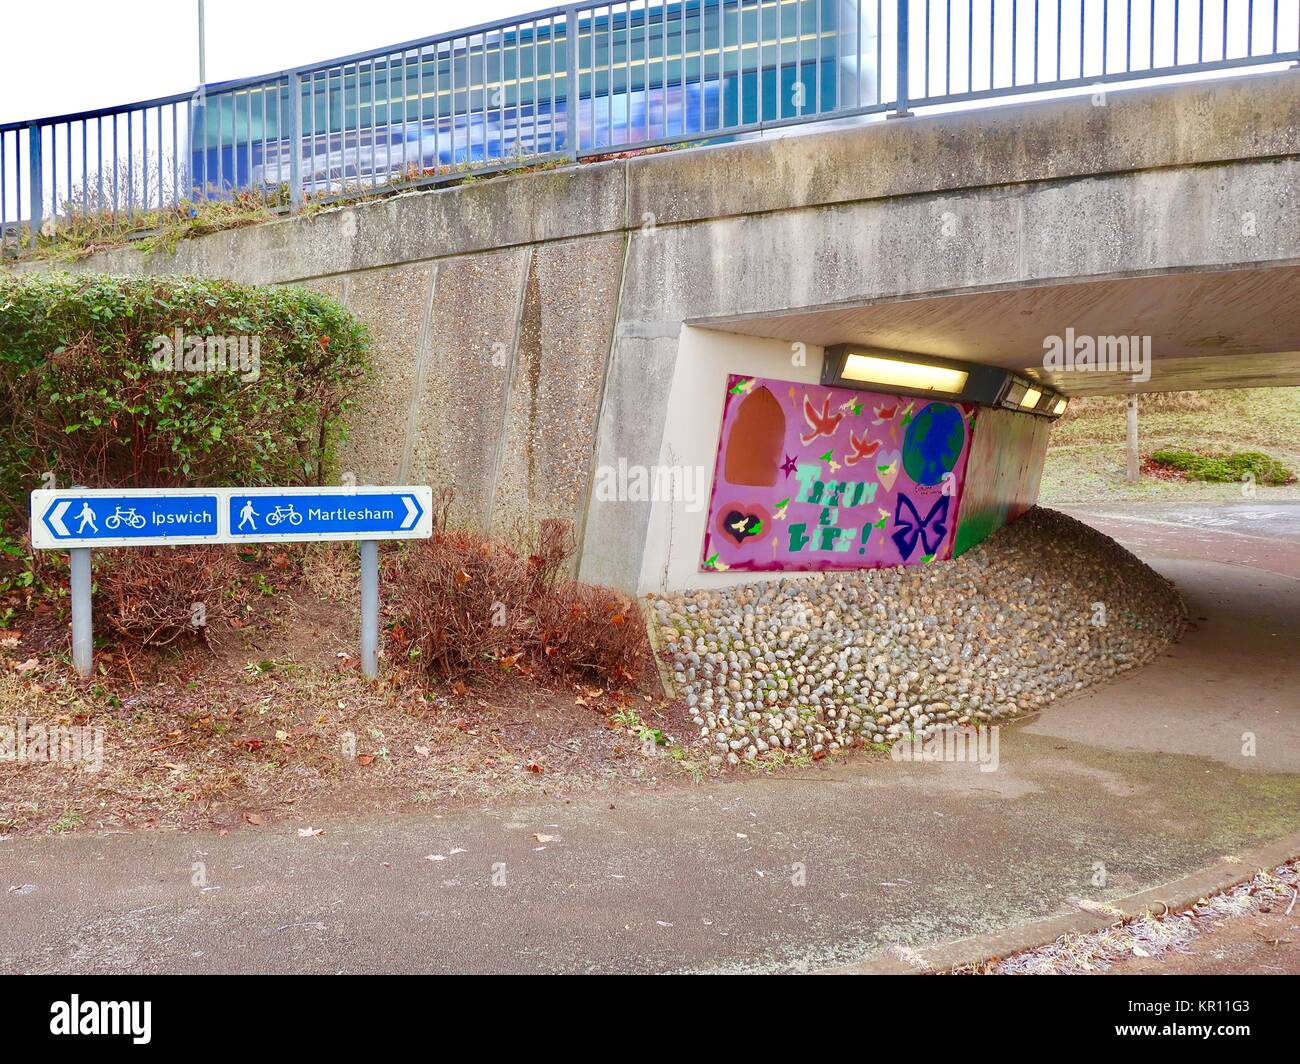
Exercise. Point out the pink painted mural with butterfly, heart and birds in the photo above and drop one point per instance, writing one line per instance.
(816, 478)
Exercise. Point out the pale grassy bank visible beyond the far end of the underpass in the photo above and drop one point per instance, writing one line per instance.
(1087, 451)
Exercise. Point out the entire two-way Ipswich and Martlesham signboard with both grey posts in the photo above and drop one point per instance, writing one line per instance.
(80, 520)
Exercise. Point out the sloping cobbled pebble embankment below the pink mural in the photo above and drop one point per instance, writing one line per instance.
(807, 667)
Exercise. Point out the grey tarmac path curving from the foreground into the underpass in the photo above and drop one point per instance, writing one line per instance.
(1145, 781)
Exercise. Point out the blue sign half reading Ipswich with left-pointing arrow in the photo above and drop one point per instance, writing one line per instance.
(105, 518)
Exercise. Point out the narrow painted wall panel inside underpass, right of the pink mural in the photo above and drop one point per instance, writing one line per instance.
(1003, 474)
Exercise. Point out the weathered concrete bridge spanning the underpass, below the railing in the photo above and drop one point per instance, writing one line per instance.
(535, 331)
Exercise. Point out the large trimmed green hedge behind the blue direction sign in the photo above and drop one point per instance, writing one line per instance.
(90, 393)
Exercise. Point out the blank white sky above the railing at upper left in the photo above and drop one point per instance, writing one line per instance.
(120, 51)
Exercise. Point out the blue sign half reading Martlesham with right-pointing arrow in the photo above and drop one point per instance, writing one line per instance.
(306, 514)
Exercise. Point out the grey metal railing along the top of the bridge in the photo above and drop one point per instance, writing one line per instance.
(586, 80)
